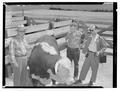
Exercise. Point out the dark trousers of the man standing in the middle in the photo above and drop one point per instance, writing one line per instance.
(73, 54)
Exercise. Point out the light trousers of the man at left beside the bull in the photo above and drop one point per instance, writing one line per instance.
(20, 72)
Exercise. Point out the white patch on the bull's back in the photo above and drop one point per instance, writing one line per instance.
(49, 49)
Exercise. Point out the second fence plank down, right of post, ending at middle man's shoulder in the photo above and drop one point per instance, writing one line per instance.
(61, 30)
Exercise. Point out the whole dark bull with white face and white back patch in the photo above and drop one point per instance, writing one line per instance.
(47, 66)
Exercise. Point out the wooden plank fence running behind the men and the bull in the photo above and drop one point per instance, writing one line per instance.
(59, 30)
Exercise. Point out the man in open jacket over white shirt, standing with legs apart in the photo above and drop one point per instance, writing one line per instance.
(94, 46)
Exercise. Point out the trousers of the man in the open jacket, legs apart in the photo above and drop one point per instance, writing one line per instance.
(92, 61)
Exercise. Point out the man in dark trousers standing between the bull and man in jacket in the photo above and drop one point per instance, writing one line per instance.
(73, 39)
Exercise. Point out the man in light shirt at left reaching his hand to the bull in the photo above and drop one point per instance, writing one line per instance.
(18, 54)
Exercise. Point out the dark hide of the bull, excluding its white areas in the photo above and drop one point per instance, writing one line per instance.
(39, 61)
